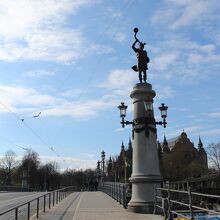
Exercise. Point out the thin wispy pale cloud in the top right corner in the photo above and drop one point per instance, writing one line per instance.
(179, 13)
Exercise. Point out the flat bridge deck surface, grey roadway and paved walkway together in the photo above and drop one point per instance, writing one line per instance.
(75, 205)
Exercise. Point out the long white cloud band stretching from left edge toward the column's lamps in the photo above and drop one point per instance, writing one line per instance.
(21, 99)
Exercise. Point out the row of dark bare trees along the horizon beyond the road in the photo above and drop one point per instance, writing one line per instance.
(32, 174)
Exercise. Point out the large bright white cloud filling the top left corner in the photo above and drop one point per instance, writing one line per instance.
(36, 30)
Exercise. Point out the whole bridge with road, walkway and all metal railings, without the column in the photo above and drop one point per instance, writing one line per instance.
(110, 202)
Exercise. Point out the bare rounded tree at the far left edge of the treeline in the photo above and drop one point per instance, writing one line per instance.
(7, 163)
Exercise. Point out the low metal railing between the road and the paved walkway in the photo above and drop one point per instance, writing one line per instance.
(48, 199)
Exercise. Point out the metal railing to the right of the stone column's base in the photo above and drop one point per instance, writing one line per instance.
(182, 203)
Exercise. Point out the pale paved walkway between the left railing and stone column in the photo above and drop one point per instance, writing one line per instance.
(91, 206)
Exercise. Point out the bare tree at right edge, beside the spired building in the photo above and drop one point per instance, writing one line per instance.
(213, 152)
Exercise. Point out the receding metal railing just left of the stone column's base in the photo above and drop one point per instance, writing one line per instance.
(117, 191)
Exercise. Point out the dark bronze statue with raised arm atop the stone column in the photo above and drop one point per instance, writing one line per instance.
(142, 58)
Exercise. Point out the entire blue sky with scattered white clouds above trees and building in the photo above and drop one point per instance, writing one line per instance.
(72, 61)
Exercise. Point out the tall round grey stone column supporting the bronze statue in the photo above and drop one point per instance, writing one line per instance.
(146, 171)
